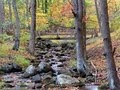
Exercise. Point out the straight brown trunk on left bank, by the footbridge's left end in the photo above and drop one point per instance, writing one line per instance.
(33, 27)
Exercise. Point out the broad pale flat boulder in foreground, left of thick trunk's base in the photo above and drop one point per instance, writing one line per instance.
(63, 79)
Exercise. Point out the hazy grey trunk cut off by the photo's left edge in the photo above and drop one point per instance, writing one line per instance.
(2, 15)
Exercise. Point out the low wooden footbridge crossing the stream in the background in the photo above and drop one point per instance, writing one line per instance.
(61, 33)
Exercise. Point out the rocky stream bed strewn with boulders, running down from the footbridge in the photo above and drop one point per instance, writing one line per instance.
(49, 70)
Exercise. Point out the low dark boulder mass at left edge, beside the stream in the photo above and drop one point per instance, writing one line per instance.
(11, 67)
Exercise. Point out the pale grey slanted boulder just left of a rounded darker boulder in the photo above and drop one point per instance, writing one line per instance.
(30, 71)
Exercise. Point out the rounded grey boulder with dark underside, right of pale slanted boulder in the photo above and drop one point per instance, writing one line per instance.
(44, 67)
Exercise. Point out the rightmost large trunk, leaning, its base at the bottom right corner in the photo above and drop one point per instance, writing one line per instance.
(111, 67)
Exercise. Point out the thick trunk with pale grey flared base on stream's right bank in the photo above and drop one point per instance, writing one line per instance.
(82, 66)
